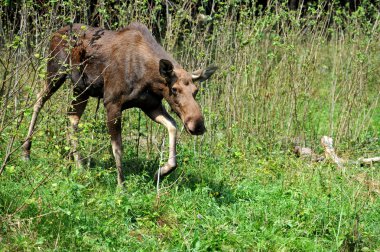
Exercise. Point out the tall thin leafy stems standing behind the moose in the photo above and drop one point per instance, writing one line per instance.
(283, 74)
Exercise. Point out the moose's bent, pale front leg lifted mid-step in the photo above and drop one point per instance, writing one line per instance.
(160, 115)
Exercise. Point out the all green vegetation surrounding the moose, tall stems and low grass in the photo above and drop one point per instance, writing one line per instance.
(289, 73)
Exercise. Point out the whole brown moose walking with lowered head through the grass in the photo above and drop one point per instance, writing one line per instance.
(126, 68)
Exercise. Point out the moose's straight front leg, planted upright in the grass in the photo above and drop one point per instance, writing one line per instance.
(114, 127)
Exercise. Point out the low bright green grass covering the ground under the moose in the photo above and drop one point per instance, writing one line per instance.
(234, 199)
